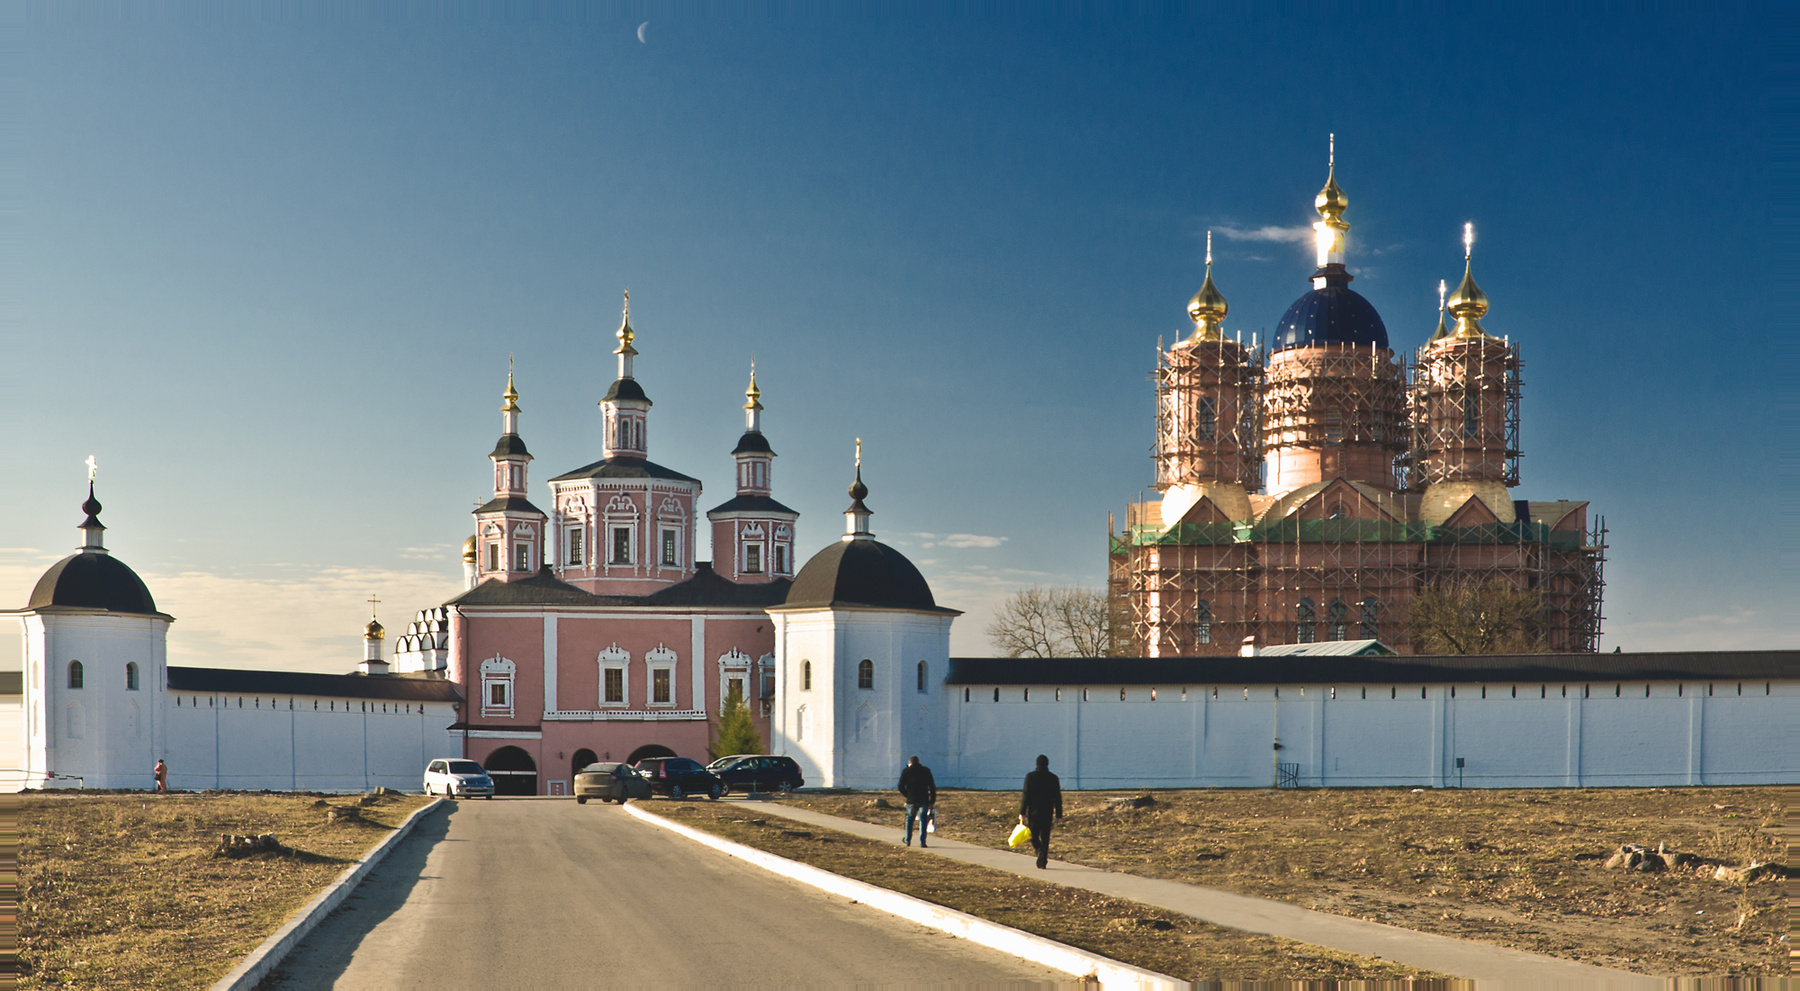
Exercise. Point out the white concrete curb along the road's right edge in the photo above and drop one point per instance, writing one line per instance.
(994, 936)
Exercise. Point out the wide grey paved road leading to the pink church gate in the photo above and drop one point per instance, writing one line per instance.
(537, 893)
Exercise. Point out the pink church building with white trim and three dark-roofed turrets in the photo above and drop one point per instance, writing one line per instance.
(593, 630)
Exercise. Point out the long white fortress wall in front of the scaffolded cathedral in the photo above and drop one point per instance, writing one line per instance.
(1518, 737)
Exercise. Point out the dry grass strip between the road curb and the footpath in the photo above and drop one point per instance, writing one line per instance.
(1124, 931)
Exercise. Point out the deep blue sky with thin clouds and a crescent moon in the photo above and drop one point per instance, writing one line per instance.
(267, 265)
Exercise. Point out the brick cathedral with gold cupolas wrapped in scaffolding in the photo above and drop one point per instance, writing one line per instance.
(1313, 485)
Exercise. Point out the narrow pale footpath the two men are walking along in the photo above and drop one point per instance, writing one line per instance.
(1457, 958)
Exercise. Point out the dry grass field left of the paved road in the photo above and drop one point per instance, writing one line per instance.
(123, 891)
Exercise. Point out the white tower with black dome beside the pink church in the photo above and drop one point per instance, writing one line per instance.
(861, 656)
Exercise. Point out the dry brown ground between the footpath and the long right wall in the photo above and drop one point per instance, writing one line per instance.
(1516, 868)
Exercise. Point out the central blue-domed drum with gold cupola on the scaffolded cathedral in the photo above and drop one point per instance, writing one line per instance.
(1335, 404)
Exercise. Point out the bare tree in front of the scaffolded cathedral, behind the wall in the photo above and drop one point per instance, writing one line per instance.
(1473, 618)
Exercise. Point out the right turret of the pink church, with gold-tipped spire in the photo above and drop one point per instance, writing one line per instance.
(753, 535)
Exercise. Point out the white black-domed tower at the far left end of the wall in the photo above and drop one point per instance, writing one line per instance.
(96, 654)
